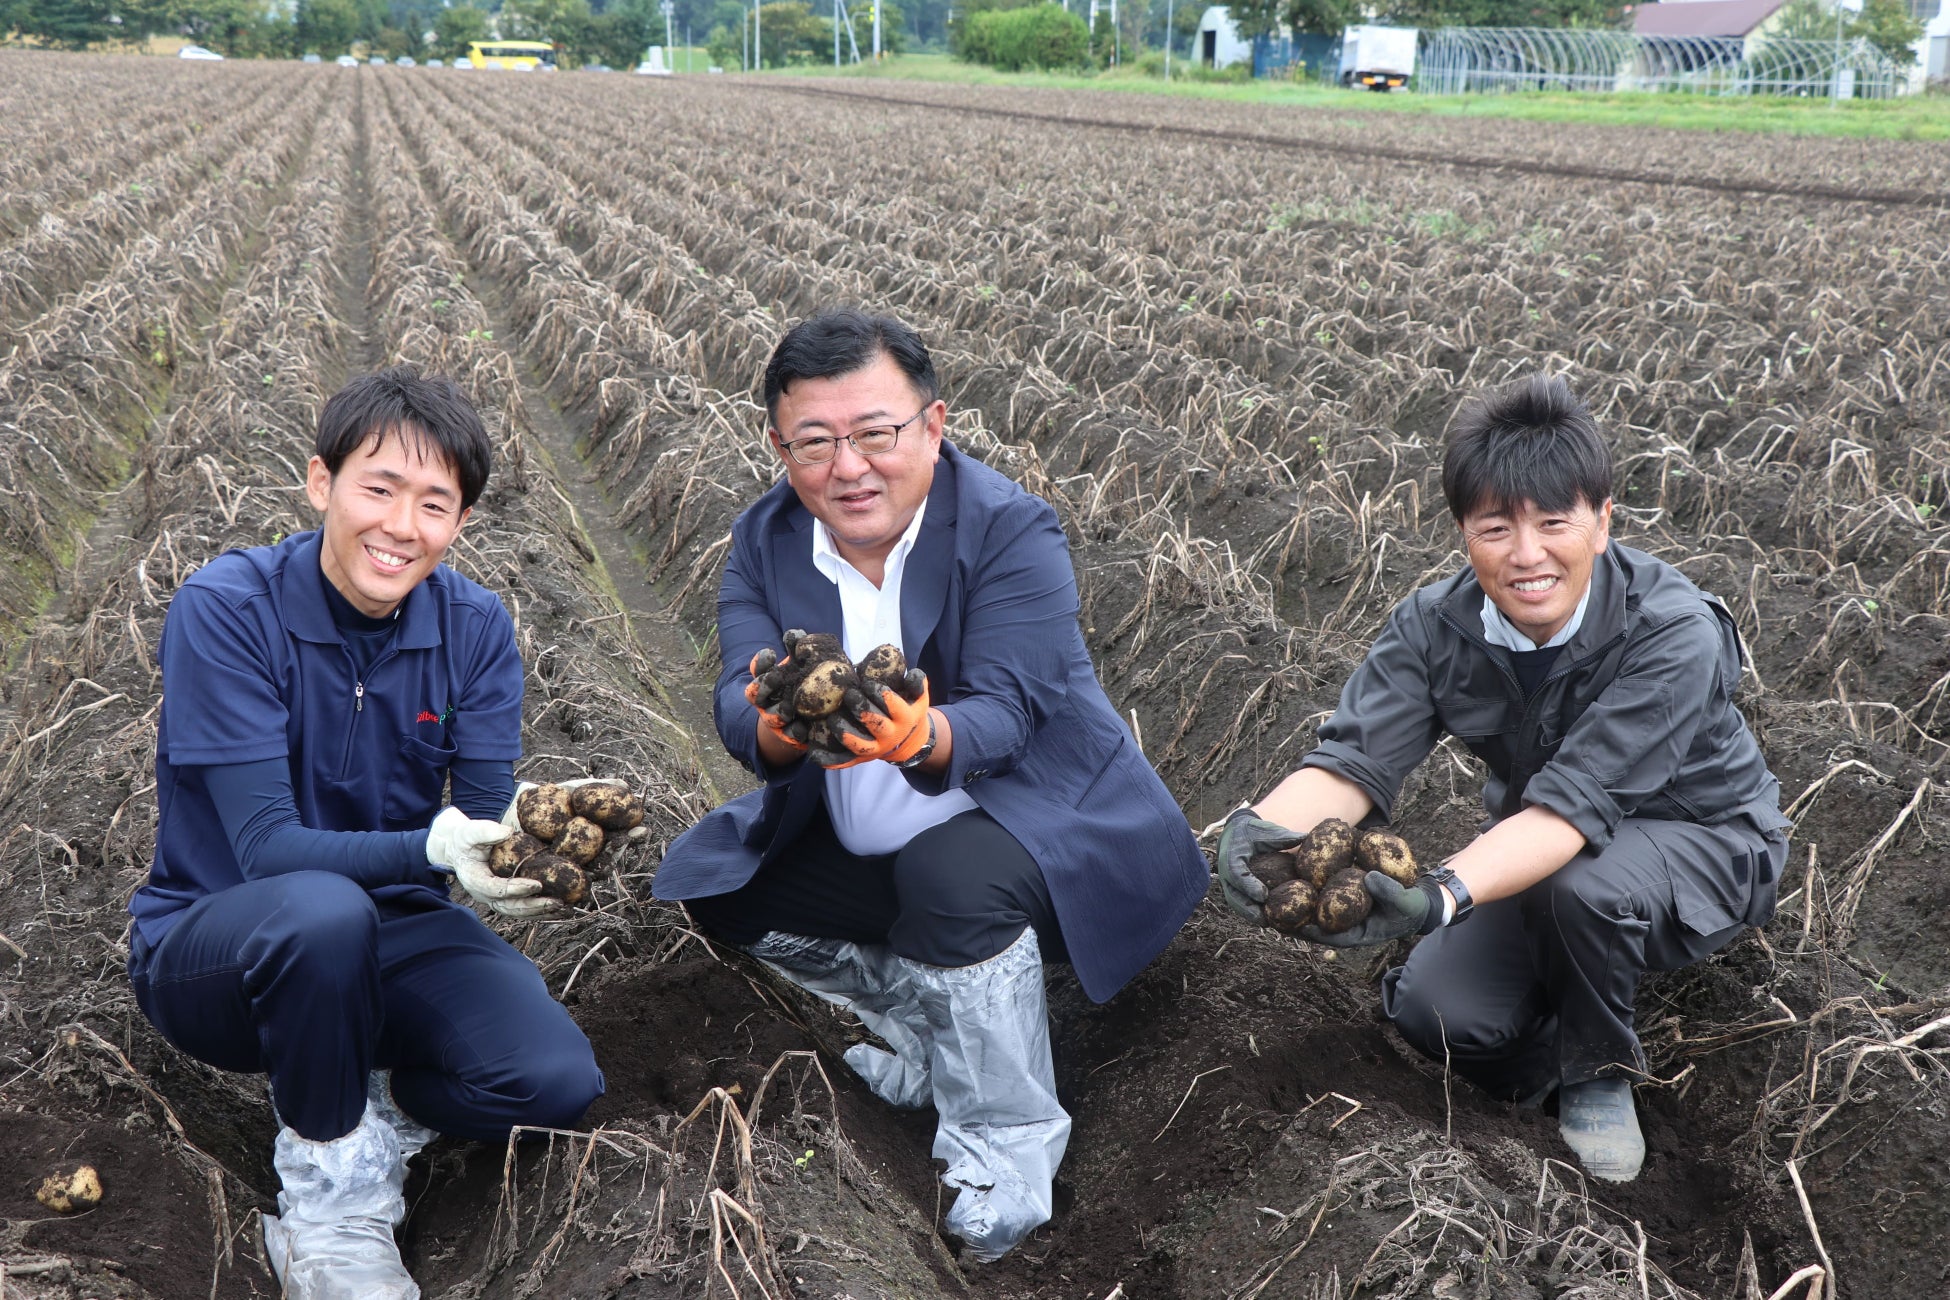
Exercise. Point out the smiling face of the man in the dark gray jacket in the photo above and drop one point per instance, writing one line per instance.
(1536, 566)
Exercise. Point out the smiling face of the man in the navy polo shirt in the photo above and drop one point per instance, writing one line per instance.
(389, 517)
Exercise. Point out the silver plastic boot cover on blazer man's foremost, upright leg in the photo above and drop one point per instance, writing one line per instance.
(1003, 1131)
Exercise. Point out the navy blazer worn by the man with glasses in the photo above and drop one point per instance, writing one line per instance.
(990, 599)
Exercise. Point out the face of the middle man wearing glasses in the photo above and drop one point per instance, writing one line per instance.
(867, 504)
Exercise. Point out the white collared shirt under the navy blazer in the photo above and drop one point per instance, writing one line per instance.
(873, 808)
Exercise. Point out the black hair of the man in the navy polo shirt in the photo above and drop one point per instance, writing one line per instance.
(405, 402)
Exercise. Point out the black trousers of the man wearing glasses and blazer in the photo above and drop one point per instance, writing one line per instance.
(955, 896)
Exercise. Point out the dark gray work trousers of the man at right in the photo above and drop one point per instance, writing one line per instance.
(1540, 987)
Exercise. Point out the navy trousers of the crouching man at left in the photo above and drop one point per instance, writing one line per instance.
(309, 979)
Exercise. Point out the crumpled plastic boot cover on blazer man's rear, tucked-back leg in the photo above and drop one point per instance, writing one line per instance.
(875, 985)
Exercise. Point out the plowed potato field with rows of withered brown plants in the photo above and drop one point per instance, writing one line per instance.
(1224, 342)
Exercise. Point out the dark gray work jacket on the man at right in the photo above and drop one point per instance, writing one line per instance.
(1635, 720)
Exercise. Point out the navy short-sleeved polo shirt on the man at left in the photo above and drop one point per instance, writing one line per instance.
(256, 669)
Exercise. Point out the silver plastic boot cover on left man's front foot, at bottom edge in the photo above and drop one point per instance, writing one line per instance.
(332, 1239)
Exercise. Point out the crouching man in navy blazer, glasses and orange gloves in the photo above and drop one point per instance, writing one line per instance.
(999, 820)
